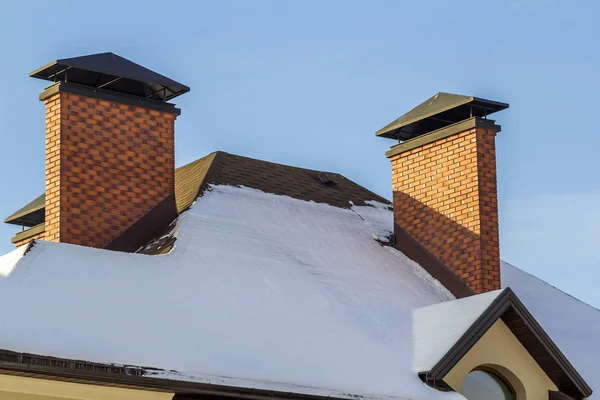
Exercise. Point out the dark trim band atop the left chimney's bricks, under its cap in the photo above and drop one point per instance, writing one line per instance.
(62, 87)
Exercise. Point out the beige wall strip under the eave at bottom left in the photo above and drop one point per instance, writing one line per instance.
(23, 388)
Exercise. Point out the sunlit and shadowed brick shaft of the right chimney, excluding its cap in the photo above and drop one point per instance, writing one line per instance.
(445, 196)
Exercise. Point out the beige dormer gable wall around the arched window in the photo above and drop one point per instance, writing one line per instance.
(500, 350)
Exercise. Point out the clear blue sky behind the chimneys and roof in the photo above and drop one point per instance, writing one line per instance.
(307, 83)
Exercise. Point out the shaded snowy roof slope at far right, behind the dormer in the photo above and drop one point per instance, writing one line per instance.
(572, 324)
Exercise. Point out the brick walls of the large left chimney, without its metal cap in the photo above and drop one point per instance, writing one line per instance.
(107, 164)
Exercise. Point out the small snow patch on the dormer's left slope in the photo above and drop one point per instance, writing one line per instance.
(436, 328)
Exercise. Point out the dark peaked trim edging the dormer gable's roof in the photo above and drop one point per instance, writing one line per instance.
(507, 299)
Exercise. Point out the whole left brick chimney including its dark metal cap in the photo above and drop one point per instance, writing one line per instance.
(109, 146)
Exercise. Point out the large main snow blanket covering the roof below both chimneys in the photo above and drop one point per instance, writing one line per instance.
(262, 289)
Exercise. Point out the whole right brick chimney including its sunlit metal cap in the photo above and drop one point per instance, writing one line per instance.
(444, 183)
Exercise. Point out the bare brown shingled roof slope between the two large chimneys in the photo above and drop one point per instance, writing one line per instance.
(223, 168)
